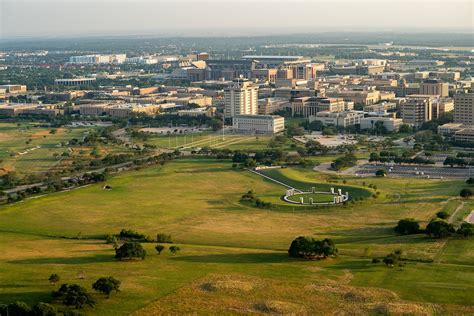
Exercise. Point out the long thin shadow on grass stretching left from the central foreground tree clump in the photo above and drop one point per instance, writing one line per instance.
(238, 258)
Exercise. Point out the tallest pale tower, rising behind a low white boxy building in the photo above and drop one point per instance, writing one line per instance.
(241, 98)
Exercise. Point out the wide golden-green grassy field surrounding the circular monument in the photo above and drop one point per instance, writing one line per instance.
(233, 257)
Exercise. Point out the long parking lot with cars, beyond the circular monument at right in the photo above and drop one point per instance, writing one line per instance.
(412, 171)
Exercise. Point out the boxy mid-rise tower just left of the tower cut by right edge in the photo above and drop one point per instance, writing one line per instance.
(416, 110)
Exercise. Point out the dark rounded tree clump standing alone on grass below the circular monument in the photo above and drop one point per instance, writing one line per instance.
(308, 247)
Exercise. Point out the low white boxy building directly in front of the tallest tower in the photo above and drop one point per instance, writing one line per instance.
(259, 124)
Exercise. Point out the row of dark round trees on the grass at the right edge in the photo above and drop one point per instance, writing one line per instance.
(436, 228)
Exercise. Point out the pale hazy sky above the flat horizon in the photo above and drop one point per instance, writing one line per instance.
(228, 17)
